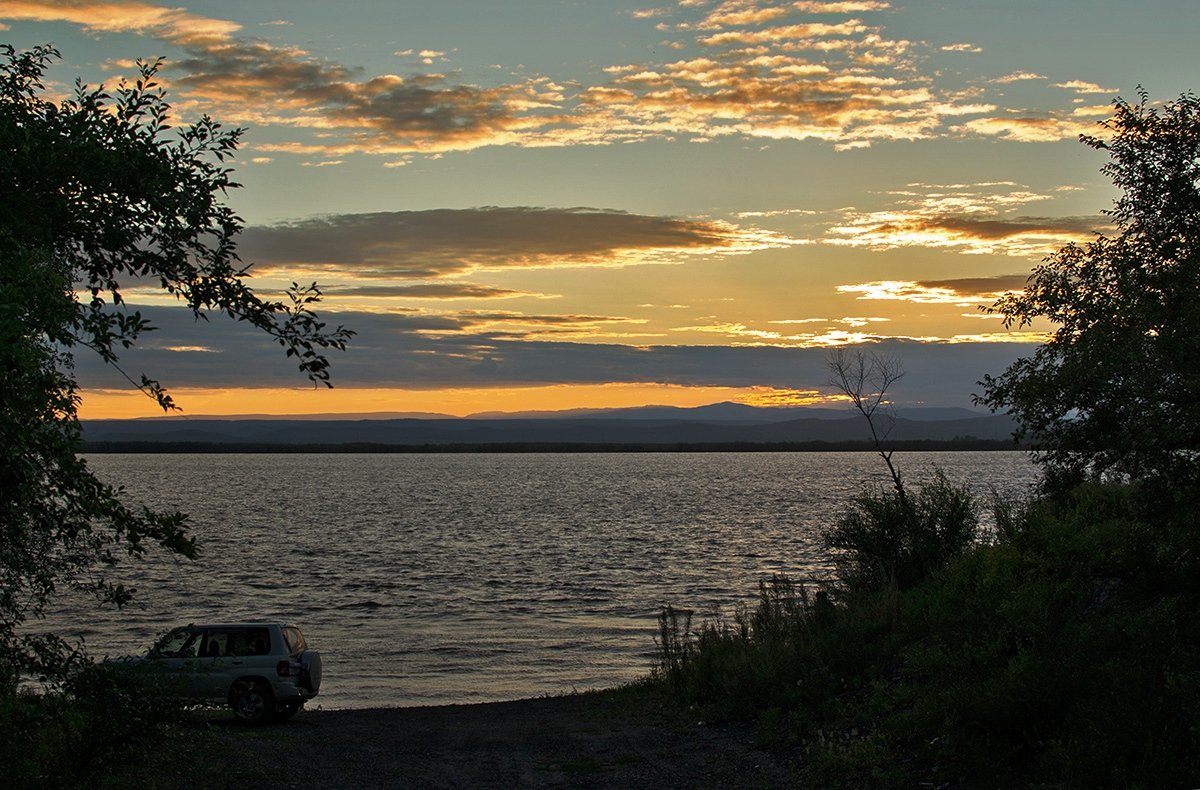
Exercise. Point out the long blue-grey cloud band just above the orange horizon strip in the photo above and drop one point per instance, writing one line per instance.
(415, 352)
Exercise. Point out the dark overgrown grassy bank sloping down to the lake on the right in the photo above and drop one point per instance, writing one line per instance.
(1064, 649)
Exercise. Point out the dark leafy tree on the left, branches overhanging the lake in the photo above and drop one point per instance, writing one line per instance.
(98, 191)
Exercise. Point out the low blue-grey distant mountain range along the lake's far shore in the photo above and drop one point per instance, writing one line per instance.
(718, 424)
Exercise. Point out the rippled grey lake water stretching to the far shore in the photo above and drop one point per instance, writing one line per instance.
(466, 578)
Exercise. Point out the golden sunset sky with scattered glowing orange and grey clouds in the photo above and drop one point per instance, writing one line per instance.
(560, 205)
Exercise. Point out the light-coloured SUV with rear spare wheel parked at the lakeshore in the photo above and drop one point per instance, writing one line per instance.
(263, 672)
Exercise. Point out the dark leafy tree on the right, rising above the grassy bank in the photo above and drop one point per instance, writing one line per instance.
(1113, 394)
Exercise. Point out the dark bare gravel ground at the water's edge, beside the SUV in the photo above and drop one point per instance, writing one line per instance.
(587, 741)
